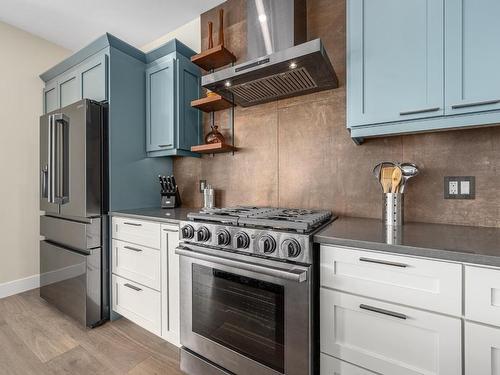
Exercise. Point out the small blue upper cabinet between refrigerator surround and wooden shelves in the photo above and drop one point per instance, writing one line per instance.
(172, 125)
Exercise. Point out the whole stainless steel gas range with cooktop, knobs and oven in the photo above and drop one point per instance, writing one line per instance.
(247, 291)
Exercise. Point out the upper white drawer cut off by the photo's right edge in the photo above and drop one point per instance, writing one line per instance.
(482, 295)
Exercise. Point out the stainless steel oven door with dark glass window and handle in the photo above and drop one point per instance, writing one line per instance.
(247, 315)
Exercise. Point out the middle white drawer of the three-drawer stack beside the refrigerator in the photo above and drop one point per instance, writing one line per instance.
(137, 263)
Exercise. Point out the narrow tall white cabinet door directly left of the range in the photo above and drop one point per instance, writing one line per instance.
(170, 293)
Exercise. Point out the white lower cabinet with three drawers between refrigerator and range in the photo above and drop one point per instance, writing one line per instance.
(145, 276)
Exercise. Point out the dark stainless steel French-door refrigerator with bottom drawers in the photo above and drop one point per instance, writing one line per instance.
(73, 255)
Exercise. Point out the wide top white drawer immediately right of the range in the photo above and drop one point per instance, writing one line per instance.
(426, 284)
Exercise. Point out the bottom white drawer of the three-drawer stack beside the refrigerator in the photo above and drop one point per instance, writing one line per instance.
(137, 303)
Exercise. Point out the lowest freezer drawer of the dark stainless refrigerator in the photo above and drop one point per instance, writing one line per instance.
(71, 281)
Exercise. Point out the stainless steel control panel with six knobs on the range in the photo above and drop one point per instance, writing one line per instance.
(275, 244)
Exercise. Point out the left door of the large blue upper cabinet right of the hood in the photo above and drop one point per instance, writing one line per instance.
(395, 60)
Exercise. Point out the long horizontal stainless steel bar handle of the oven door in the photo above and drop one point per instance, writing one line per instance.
(297, 274)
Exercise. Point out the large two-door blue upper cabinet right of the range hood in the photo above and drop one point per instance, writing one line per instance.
(421, 65)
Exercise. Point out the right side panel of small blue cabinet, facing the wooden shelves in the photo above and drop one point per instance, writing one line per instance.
(189, 127)
